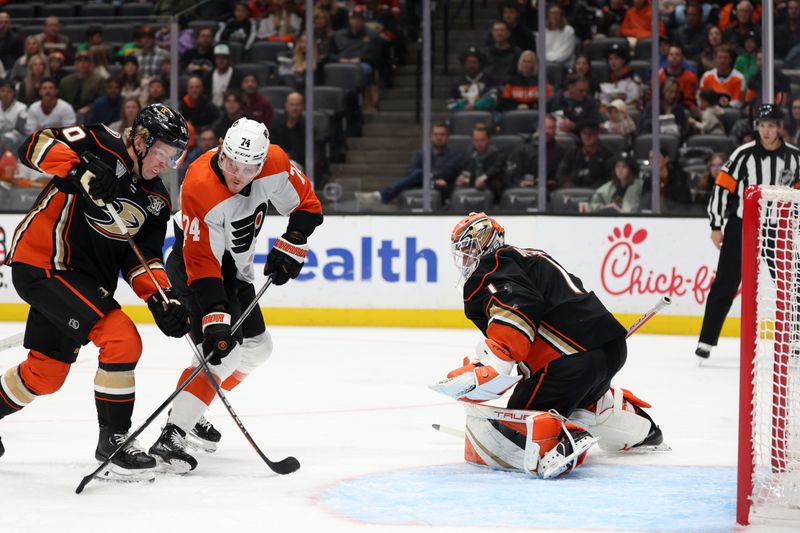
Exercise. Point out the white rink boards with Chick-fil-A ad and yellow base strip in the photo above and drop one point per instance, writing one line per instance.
(398, 271)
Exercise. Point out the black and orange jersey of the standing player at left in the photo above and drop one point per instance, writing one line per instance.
(65, 231)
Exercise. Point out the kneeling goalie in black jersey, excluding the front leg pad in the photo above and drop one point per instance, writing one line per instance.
(538, 318)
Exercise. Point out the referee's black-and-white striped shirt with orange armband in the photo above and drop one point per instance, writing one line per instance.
(751, 164)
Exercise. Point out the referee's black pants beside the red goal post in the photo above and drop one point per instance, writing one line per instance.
(726, 282)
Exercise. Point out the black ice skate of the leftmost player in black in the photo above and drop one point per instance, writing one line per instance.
(130, 464)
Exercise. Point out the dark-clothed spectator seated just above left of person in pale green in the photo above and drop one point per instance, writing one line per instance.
(589, 164)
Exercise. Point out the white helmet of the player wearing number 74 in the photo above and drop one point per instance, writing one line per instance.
(245, 148)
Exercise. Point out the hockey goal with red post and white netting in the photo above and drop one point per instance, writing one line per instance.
(769, 387)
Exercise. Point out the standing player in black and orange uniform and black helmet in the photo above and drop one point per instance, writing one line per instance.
(67, 255)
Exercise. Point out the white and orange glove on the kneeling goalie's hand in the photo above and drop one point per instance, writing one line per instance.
(486, 378)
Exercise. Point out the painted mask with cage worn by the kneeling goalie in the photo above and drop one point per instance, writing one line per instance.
(473, 237)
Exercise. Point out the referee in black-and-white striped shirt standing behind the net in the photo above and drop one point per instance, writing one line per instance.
(765, 161)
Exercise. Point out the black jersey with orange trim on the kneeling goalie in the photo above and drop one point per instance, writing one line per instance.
(535, 310)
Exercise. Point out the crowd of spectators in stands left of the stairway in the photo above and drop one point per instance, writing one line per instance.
(231, 54)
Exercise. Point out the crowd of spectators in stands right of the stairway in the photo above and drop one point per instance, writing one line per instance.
(599, 106)
